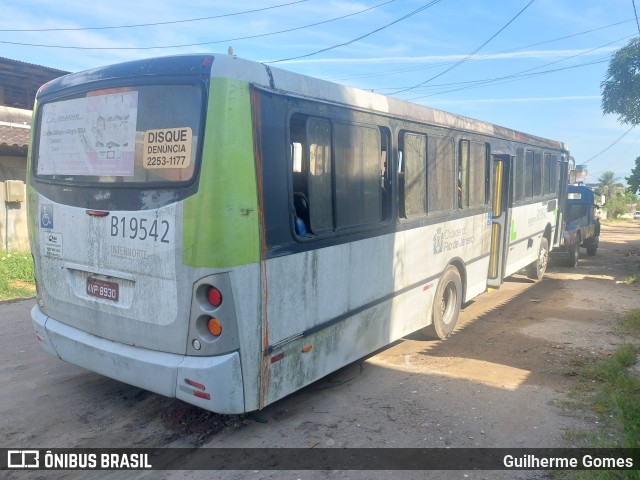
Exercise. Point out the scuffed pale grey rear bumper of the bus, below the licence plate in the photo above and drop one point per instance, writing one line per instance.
(212, 383)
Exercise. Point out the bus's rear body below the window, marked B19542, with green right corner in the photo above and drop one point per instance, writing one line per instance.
(143, 262)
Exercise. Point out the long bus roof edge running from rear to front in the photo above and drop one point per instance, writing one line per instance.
(278, 80)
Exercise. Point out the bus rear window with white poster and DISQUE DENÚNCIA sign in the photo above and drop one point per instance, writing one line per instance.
(141, 134)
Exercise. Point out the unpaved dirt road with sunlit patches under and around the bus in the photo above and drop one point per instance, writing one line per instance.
(501, 380)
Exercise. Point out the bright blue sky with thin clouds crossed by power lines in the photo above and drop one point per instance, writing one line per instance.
(531, 66)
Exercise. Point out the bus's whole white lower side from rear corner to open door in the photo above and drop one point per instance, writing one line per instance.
(371, 292)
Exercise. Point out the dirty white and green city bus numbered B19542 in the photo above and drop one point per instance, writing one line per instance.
(224, 232)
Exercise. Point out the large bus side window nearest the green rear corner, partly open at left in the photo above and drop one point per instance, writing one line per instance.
(340, 174)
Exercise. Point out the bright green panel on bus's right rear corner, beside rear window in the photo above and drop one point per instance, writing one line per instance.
(221, 222)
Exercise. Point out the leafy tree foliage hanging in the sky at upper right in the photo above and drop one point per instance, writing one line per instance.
(621, 87)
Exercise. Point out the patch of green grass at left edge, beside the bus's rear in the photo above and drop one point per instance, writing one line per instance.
(16, 275)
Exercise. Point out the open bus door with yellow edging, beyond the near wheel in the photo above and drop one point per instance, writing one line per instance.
(500, 220)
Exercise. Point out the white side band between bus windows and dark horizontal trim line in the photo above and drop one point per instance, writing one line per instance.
(311, 288)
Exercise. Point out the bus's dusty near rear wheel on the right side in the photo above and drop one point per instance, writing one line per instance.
(446, 305)
